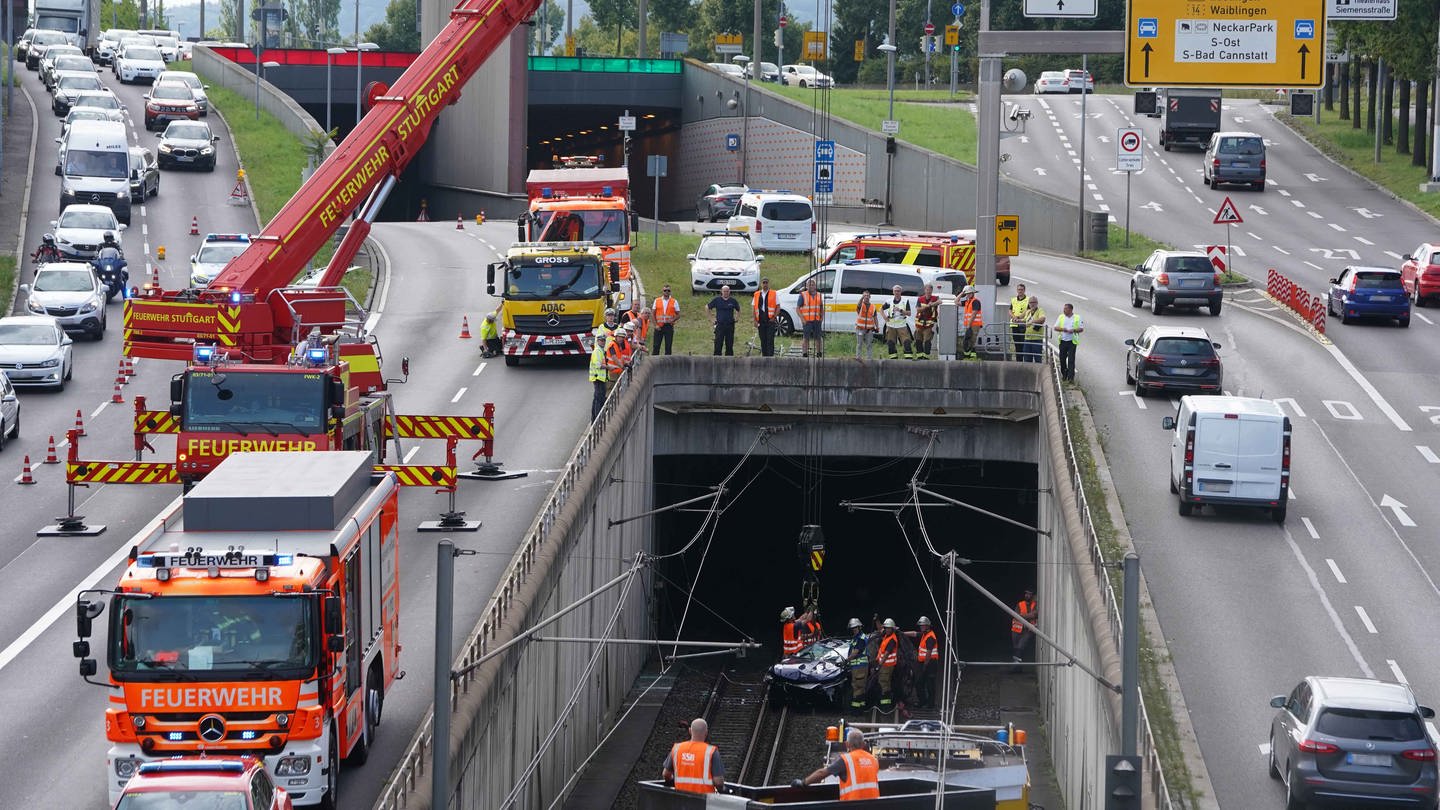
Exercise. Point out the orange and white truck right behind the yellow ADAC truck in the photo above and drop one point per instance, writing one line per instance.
(591, 205)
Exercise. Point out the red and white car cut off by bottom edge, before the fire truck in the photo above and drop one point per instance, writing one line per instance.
(230, 783)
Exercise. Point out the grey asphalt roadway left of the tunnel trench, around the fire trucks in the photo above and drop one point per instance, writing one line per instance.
(55, 755)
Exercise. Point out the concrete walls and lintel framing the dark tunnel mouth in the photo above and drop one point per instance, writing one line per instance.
(509, 707)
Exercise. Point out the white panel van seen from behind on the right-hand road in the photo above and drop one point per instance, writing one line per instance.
(1230, 450)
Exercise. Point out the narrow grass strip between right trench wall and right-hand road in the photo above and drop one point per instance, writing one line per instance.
(1153, 688)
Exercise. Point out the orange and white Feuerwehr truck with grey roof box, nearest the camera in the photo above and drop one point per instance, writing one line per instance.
(260, 618)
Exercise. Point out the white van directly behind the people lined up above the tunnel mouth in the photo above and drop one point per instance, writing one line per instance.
(842, 285)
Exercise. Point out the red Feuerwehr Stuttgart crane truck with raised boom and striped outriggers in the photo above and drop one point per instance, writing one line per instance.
(254, 318)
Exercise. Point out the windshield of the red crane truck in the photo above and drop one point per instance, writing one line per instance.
(221, 401)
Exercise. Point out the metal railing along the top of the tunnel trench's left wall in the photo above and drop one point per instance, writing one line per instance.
(413, 767)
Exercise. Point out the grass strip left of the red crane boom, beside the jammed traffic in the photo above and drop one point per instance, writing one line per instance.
(273, 159)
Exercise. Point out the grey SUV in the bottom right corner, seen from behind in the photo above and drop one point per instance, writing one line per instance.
(1353, 740)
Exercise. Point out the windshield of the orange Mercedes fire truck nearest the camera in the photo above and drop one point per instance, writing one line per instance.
(176, 638)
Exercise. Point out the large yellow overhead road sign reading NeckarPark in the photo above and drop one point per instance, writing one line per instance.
(1265, 44)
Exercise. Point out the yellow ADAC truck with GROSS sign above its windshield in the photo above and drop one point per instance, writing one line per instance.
(554, 295)
